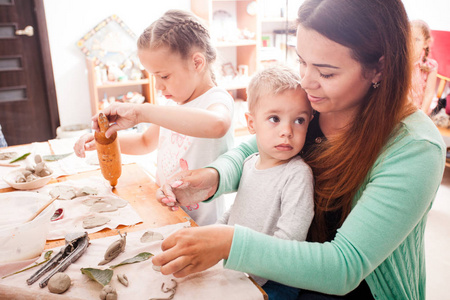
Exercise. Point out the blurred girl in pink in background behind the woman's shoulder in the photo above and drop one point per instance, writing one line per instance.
(425, 69)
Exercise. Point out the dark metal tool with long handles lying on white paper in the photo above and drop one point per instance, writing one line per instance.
(76, 245)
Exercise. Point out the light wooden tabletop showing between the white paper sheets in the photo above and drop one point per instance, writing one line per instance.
(138, 188)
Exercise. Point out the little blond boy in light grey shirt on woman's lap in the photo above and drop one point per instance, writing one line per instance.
(276, 190)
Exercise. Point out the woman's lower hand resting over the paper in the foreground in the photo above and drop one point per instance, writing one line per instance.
(195, 249)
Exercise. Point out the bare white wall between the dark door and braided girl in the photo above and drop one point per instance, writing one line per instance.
(67, 22)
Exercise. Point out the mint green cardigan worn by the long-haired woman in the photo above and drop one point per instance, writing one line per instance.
(382, 239)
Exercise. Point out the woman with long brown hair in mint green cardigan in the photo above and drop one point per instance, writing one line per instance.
(377, 162)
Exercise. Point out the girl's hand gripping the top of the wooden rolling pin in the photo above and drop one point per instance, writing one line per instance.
(120, 116)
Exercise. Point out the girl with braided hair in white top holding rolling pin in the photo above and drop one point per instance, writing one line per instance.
(194, 126)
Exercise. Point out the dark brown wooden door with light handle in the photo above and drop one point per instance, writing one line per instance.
(28, 107)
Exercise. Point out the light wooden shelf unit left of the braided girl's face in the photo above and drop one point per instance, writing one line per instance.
(113, 88)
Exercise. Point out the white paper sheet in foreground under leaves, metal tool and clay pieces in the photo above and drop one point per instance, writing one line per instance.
(144, 282)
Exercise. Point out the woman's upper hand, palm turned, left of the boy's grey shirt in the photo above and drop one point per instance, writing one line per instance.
(189, 187)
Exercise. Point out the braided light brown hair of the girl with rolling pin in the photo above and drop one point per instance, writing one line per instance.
(181, 32)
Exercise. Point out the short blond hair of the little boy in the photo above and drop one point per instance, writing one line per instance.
(271, 81)
